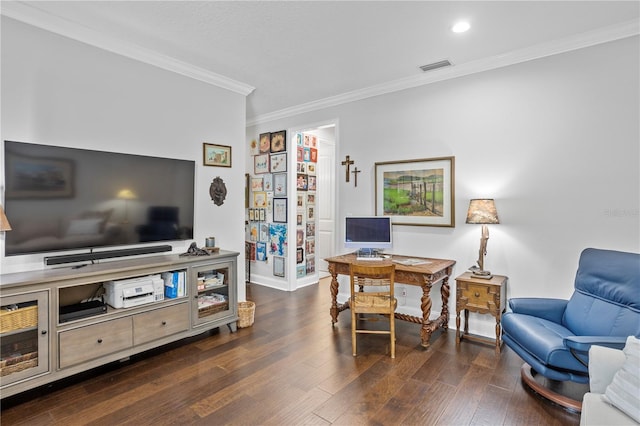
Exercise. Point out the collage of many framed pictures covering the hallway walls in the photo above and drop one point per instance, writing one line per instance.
(269, 204)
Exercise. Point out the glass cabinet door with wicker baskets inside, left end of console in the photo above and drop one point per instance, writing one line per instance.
(24, 338)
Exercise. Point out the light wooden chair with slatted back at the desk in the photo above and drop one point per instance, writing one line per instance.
(374, 295)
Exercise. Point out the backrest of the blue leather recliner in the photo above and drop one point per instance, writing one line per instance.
(606, 301)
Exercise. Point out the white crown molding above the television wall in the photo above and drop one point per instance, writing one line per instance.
(33, 16)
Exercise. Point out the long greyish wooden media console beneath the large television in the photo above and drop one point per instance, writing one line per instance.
(37, 347)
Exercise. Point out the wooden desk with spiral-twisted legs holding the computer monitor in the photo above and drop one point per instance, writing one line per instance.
(425, 276)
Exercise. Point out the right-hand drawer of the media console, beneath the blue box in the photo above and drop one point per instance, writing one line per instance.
(160, 323)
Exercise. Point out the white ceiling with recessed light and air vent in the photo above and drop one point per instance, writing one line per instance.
(304, 52)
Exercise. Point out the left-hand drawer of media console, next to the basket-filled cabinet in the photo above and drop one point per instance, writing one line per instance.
(94, 341)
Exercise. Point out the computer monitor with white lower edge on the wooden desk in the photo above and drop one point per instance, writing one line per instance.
(370, 232)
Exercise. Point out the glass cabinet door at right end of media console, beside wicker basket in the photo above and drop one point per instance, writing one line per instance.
(213, 295)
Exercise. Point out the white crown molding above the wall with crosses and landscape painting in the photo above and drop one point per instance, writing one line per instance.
(578, 41)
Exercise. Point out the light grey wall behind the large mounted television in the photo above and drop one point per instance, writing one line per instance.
(61, 92)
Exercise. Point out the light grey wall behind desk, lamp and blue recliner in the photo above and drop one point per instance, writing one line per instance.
(555, 141)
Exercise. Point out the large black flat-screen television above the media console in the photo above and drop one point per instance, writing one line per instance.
(59, 198)
